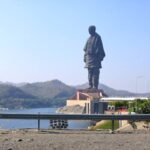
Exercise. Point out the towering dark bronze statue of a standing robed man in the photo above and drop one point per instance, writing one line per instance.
(94, 55)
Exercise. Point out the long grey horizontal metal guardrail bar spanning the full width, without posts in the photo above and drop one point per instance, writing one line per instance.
(76, 116)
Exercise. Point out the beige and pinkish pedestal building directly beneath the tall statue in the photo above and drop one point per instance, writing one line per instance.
(90, 100)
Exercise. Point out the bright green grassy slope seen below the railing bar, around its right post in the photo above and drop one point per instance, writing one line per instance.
(106, 125)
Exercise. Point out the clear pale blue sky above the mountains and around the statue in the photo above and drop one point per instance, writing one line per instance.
(42, 40)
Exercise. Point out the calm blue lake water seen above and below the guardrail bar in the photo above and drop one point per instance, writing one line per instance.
(18, 124)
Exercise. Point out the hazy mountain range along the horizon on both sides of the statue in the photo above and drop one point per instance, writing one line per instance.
(46, 94)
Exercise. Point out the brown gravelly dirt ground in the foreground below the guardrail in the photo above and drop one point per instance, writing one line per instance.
(31, 139)
